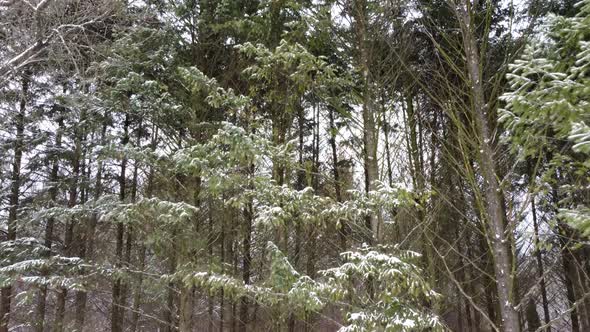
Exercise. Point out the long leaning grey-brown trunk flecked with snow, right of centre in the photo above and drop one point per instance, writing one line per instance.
(500, 235)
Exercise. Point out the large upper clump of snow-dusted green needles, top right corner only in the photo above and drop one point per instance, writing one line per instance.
(549, 87)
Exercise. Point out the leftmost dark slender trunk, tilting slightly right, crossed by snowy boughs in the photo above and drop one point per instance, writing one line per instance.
(6, 292)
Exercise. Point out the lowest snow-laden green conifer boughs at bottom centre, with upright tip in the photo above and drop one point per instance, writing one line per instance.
(383, 291)
